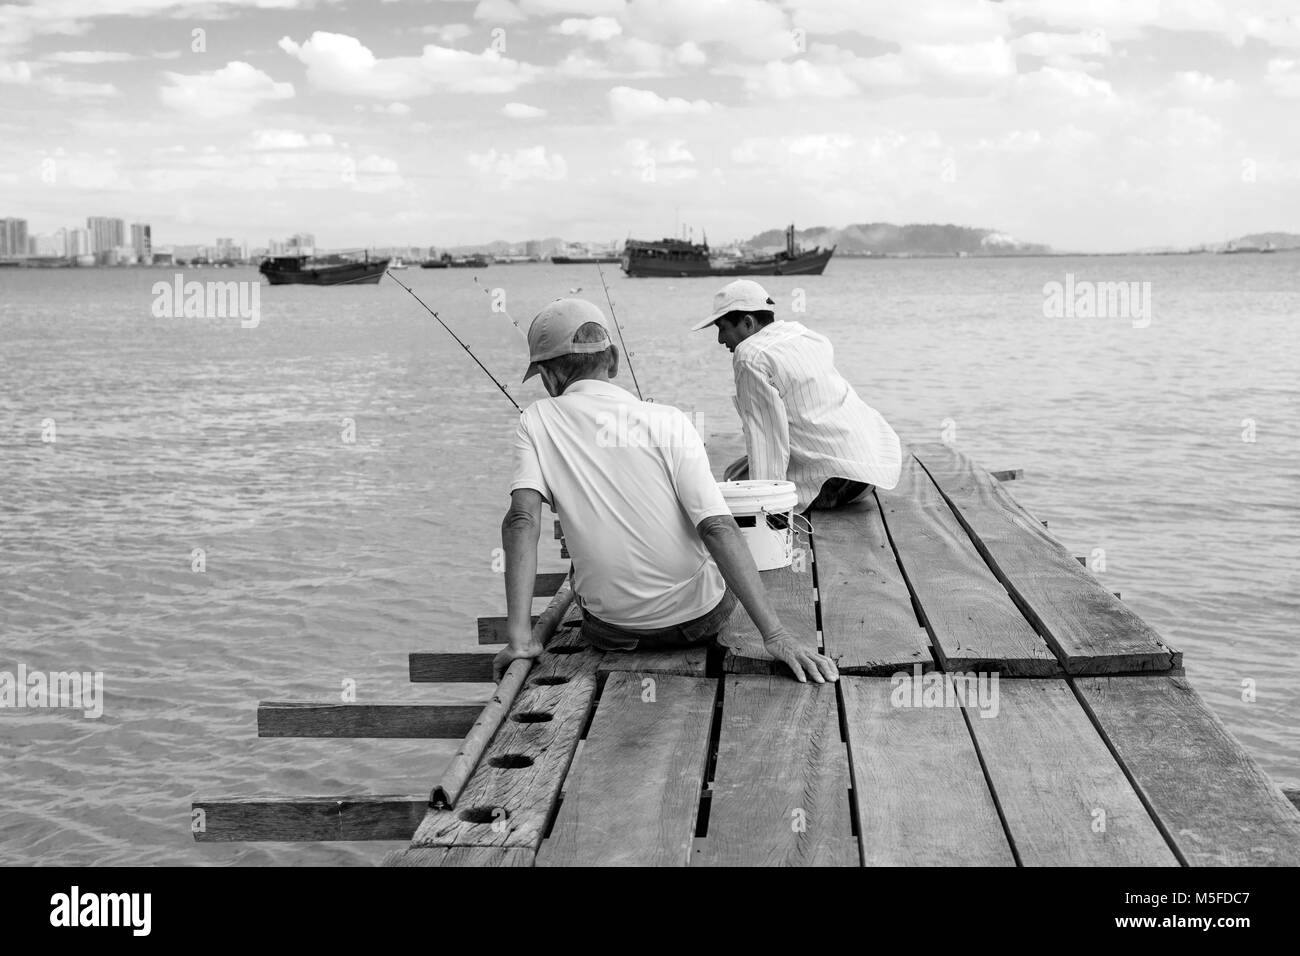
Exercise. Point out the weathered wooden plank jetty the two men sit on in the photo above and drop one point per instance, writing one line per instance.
(998, 706)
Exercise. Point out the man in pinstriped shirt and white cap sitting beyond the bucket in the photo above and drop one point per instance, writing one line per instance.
(804, 423)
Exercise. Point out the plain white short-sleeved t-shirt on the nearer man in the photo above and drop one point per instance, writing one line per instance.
(630, 482)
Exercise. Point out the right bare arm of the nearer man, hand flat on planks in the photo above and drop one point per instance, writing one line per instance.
(730, 552)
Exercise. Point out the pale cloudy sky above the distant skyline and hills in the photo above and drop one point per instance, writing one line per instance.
(1093, 127)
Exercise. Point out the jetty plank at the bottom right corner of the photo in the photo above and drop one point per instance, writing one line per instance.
(1216, 803)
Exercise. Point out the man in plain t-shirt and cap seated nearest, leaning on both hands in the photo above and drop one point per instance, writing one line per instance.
(658, 560)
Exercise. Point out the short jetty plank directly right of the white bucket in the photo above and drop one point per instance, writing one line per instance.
(868, 620)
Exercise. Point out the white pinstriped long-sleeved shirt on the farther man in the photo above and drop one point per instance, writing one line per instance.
(804, 423)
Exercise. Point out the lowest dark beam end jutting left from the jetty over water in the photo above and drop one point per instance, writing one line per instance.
(296, 820)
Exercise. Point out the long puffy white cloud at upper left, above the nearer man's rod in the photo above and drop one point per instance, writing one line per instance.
(341, 64)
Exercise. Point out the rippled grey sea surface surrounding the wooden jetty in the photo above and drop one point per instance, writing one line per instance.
(328, 561)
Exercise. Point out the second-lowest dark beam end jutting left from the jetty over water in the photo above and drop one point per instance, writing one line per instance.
(315, 720)
